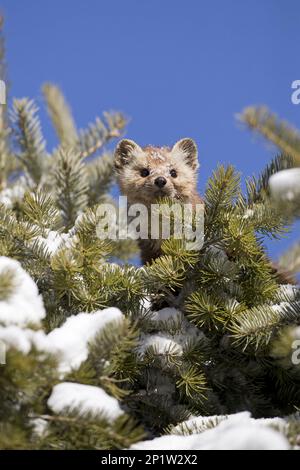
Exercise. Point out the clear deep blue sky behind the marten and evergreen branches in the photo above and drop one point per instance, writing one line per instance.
(177, 68)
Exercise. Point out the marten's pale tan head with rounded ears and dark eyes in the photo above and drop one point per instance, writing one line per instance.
(146, 174)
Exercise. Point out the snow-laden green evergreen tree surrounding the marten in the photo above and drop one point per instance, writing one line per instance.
(102, 354)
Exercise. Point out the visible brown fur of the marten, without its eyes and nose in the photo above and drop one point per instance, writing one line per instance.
(131, 159)
